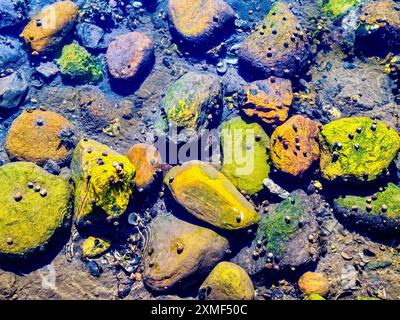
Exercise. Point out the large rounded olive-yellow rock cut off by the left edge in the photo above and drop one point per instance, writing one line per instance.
(34, 204)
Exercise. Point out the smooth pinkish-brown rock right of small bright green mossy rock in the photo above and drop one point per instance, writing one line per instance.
(130, 55)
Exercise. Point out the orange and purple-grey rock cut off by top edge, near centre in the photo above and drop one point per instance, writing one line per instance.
(200, 22)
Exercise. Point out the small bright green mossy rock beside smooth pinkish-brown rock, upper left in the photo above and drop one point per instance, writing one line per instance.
(78, 64)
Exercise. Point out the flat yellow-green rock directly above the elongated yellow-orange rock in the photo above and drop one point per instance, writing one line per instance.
(245, 157)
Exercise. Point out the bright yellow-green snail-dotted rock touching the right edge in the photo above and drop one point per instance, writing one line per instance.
(357, 149)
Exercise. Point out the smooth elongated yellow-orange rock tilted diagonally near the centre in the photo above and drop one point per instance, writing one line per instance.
(210, 196)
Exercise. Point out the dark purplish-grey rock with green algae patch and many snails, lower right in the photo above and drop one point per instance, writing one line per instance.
(287, 237)
